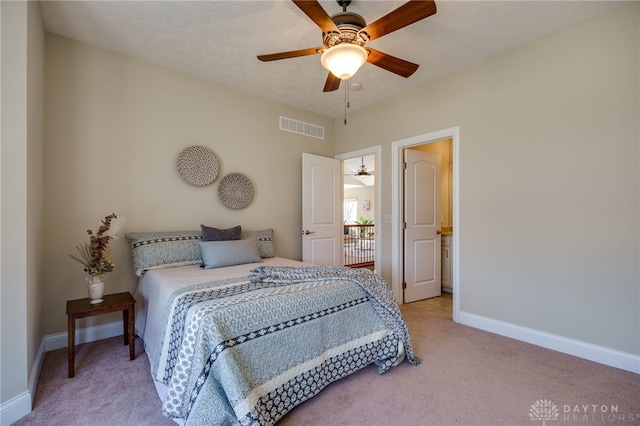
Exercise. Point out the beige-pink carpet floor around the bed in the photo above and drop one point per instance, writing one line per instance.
(467, 377)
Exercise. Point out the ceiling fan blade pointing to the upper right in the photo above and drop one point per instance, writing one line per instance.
(407, 14)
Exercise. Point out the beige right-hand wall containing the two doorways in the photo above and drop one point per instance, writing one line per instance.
(549, 179)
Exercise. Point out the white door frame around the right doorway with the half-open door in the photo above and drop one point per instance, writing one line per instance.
(397, 209)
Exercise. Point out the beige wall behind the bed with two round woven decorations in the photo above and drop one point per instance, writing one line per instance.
(115, 127)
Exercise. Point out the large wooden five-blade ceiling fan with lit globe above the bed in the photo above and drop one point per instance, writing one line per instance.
(347, 33)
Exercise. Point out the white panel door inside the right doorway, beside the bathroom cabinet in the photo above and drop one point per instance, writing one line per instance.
(422, 267)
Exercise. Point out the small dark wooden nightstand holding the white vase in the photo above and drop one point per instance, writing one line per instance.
(81, 308)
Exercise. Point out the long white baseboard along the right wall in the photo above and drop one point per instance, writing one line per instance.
(591, 352)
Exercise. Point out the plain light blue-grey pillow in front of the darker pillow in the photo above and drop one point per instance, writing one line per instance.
(216, 254)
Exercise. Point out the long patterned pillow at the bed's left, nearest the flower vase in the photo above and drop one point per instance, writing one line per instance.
(154, 250)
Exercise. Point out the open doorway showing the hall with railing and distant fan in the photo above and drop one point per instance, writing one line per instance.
(362, 193)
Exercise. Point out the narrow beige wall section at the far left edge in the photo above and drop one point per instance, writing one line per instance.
(13, 230)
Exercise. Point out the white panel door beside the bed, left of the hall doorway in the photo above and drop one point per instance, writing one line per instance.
(321, 210)
